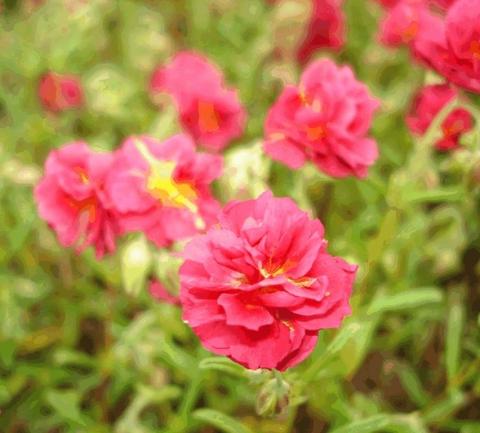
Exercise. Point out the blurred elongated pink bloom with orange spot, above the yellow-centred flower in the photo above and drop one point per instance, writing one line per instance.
(211, 112)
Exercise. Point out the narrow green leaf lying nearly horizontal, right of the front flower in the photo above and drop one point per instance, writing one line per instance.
(409, 299)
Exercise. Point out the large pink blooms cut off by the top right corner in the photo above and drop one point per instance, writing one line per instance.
(443, 35)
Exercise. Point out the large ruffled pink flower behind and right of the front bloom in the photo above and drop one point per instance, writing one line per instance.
(324, 119)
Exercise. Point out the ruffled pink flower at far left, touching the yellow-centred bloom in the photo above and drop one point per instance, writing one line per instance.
(71, 199)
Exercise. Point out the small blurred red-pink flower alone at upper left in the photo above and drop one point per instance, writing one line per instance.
(60, 92)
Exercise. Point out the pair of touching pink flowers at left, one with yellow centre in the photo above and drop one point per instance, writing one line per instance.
(159, 188)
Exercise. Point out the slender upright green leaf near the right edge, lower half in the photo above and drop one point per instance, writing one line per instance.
(455, 322)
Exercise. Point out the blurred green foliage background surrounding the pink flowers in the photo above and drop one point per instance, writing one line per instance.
(85, 348)
